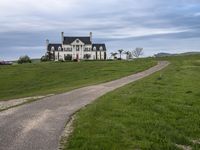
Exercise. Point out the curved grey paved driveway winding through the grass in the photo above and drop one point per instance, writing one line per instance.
(38, 125)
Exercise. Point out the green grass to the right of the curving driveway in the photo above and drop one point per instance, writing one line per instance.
(154, 113)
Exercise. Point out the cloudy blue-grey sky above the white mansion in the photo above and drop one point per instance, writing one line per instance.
(171, 26)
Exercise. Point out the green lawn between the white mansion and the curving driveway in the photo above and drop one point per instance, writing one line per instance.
(45, 78)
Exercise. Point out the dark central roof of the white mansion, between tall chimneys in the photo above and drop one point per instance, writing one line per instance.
(69, 40)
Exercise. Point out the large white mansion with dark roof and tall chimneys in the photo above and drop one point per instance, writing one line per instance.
(76, 48)
